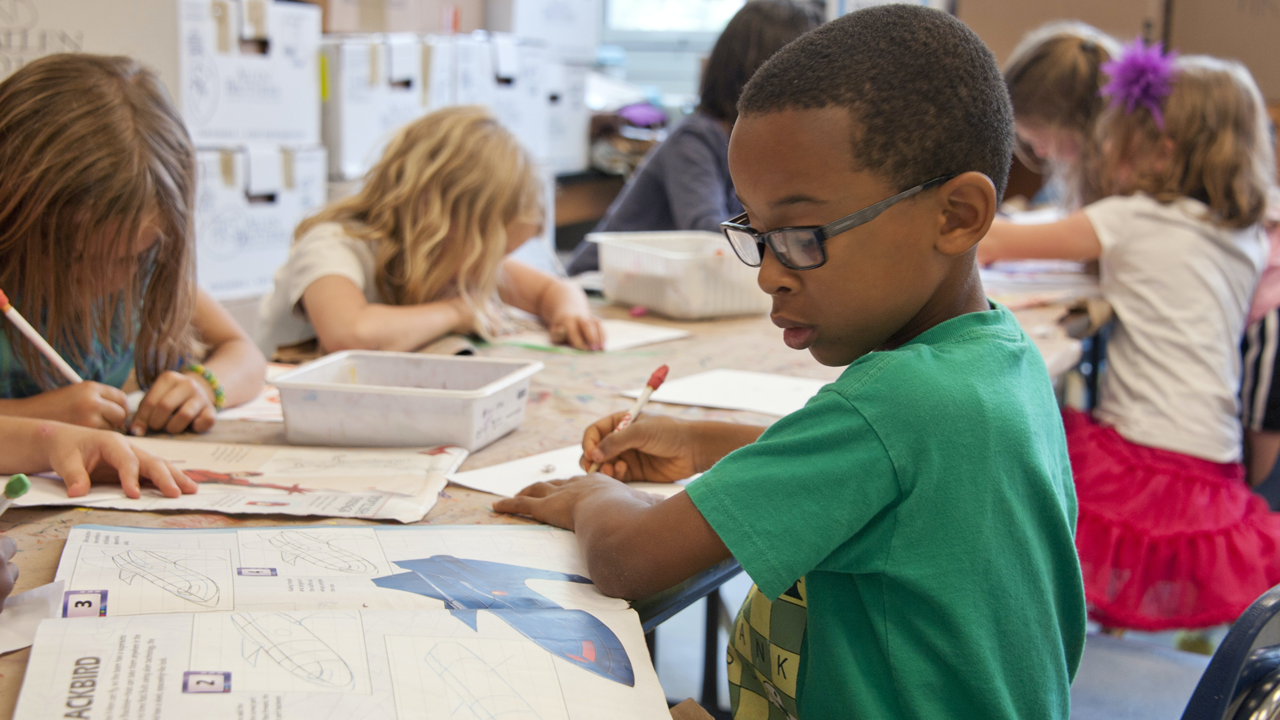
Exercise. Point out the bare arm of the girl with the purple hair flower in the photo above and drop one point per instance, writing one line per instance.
(1069, 239)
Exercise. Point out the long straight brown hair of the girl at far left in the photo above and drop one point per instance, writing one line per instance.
(92, 154)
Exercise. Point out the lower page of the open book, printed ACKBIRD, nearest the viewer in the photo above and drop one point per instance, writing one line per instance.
(344, 664)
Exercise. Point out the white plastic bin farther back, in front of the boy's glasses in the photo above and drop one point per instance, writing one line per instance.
(683, 275)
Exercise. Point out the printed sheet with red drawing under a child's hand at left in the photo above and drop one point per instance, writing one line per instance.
(376, 485)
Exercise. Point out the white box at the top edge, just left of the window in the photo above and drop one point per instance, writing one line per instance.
(572, 29)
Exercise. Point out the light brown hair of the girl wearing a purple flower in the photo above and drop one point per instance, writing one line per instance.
(1222, 156)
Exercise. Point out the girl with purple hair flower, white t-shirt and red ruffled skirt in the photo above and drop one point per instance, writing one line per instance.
(1169, 534)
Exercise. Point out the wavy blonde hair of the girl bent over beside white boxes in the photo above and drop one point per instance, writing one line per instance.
(436, 209)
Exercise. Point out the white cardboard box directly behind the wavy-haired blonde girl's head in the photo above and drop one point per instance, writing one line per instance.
(374, 85)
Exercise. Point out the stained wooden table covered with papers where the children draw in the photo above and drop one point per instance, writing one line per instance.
(574, 390)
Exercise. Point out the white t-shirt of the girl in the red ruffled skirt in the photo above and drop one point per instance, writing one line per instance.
(1181, 289)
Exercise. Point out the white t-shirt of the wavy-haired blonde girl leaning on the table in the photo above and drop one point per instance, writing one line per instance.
(326, 250)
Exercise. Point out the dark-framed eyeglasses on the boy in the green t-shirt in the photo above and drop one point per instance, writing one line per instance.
(804, 249)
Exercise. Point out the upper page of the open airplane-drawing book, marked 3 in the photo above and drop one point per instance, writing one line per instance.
(113, 572)
